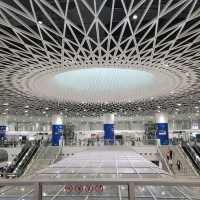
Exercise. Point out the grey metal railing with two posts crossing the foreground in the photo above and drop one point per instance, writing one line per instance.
(131, 183)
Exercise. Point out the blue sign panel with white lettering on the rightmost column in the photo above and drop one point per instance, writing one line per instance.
(162, 133)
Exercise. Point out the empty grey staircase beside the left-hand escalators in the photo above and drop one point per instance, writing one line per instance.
(45, 156)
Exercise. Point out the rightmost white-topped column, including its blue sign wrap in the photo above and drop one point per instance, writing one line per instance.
(162, 128)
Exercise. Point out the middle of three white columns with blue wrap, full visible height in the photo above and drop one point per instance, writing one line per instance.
(109, 135)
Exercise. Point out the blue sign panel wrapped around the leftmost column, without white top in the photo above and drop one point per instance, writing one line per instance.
(57, 131)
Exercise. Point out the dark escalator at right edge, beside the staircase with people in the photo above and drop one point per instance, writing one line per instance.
(194, 157)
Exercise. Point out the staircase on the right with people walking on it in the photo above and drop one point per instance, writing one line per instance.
(178, 154)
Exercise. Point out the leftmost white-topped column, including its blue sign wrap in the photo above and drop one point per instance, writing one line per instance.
(57, 130)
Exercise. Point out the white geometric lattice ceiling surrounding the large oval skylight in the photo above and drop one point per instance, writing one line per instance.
(40, 39)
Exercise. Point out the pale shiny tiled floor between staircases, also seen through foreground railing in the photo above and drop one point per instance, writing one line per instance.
(102, 162)
